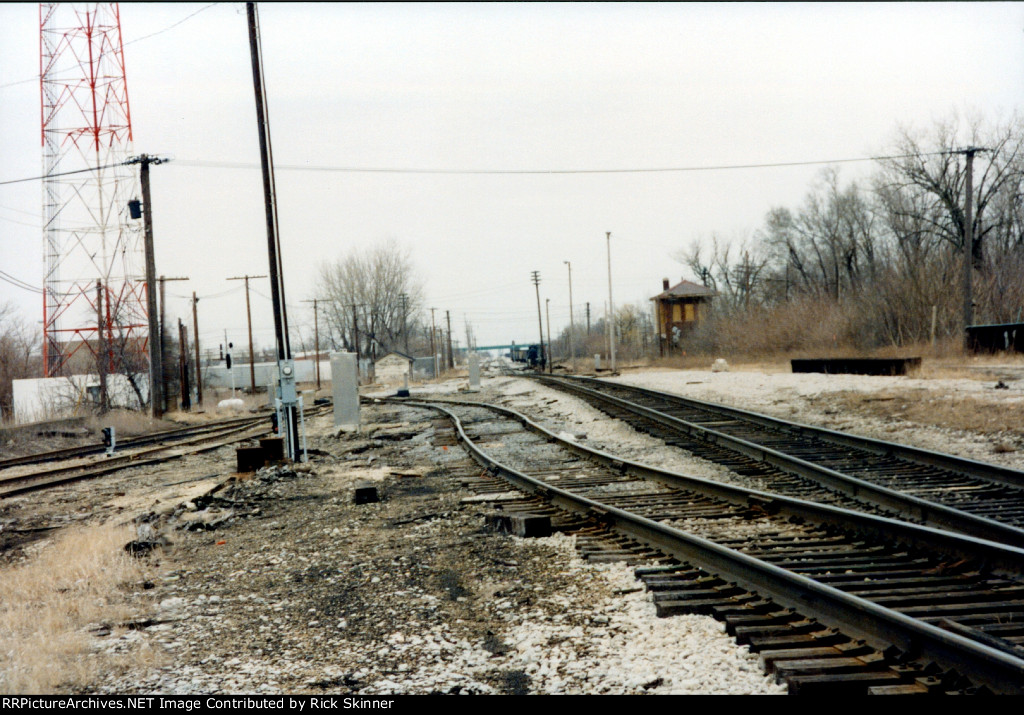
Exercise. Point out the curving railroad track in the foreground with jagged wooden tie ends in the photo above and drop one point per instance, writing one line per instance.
(834, 601)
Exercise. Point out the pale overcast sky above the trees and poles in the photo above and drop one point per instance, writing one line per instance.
(499, 88)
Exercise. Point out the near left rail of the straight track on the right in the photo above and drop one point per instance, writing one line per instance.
(928, 513)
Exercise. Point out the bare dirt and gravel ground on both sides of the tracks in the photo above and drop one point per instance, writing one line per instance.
(295, 588)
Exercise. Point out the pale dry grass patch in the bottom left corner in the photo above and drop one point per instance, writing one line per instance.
(48, 605)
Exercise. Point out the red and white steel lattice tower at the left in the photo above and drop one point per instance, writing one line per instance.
(88, 233)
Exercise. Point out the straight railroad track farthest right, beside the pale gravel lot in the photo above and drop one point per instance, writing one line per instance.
(820, 465)
